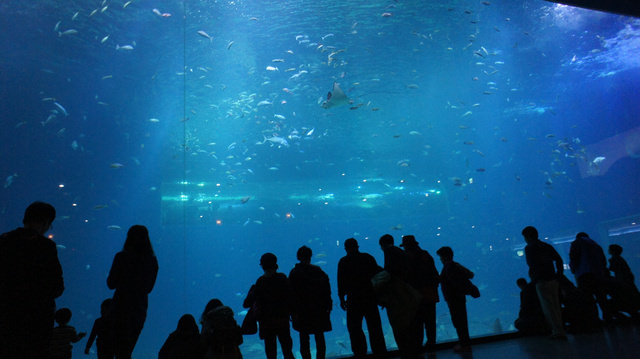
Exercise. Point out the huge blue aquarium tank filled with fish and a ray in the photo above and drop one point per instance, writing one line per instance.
(461, 123)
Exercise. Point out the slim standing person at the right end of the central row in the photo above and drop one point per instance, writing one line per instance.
(452, 279)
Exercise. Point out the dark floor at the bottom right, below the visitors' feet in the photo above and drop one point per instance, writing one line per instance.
(615, 342)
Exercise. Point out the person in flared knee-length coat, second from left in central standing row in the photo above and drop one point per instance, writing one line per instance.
(312, 303)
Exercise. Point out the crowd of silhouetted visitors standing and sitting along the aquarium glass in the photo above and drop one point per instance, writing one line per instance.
(406, 286)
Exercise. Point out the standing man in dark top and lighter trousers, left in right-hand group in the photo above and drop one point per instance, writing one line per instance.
(545, 266)
